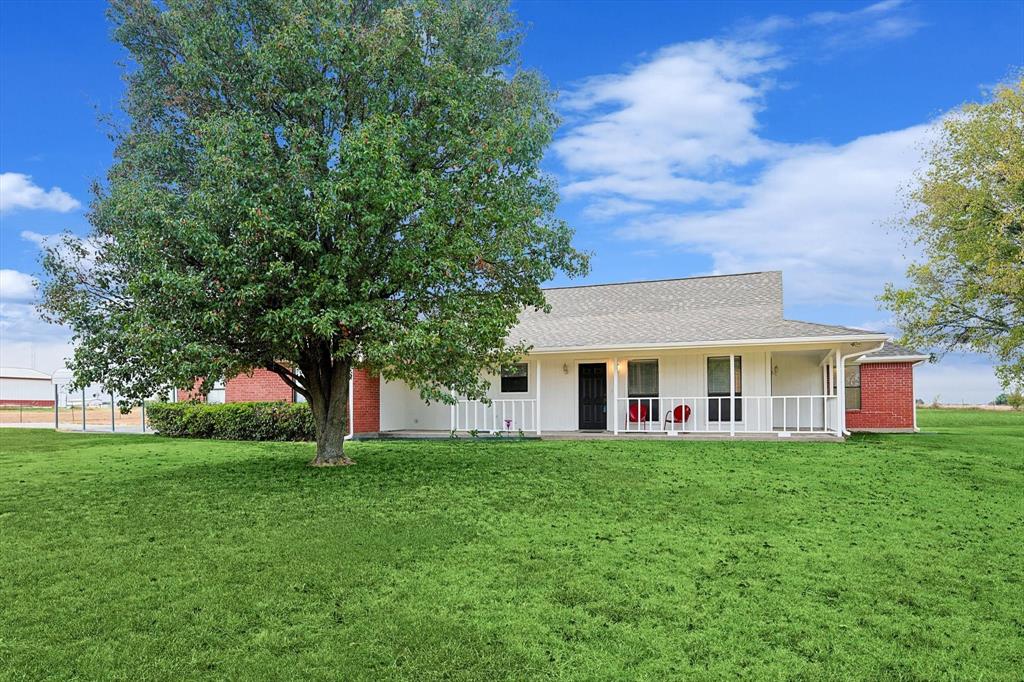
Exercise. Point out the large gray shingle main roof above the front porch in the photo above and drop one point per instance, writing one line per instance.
(691, 311)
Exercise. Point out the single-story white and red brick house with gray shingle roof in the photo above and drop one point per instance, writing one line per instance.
(694, 356)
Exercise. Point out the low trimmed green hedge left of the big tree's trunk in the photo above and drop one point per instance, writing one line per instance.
(234, 421)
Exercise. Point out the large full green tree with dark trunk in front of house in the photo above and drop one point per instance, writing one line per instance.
(311, 187)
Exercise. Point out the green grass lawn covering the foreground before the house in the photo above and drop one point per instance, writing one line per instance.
(140, 558)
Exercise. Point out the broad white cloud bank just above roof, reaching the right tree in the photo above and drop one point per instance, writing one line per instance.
(821, 216)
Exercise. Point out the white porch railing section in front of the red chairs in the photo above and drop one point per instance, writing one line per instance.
(754, 414)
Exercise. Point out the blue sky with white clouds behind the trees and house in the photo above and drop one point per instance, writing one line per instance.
(697, 138)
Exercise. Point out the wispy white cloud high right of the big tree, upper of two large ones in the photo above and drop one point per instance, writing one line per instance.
(667, 127)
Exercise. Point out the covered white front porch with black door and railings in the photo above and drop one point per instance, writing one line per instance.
(776, 392)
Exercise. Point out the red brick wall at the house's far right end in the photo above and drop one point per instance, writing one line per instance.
(886, 398)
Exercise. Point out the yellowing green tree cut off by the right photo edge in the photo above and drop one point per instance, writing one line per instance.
(967, 215)
